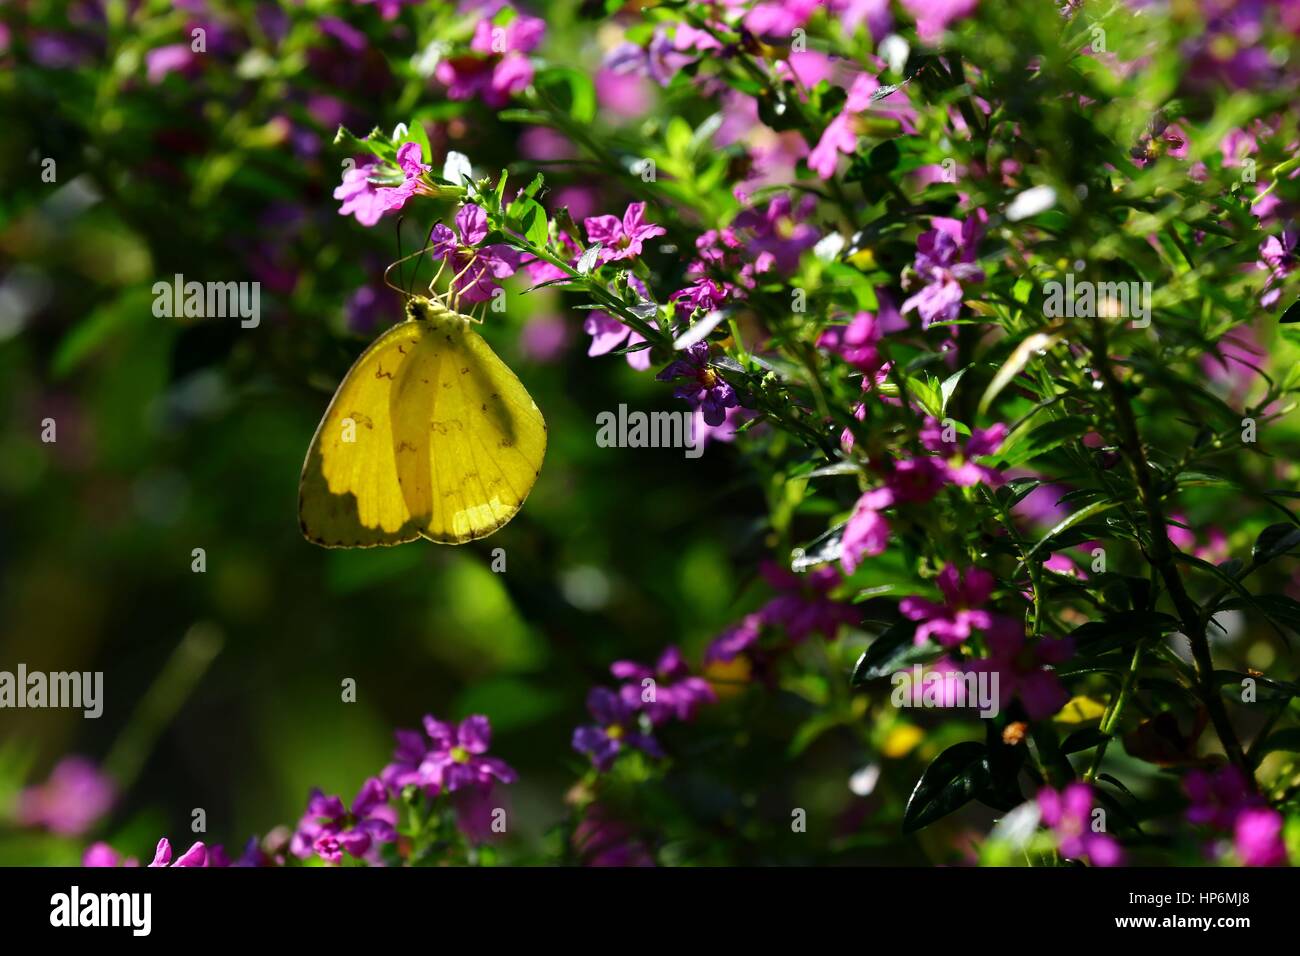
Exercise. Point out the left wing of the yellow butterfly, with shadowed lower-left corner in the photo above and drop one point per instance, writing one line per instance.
(350, 495)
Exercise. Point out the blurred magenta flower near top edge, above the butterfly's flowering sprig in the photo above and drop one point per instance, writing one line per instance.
(499, 66)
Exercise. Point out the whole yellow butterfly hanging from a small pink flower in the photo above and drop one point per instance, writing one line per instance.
(430, 435)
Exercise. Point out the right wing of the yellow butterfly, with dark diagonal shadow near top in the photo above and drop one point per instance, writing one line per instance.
(486, 438)
